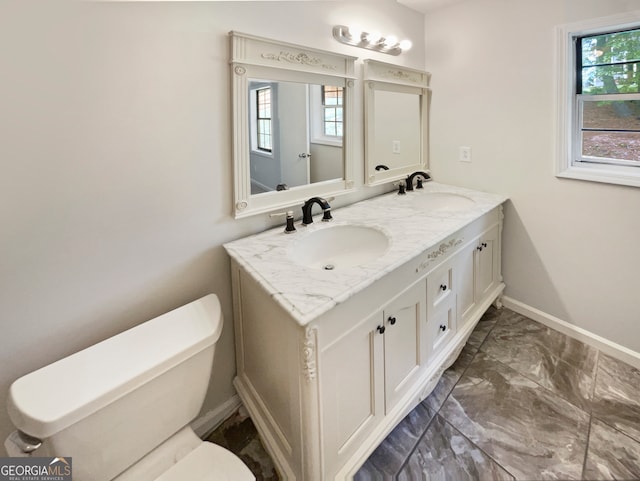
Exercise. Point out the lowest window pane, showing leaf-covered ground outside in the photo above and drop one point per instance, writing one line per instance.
(612, 145)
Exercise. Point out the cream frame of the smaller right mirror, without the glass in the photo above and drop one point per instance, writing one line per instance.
(393, 78)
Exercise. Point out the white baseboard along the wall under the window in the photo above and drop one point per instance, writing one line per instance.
(605, 345)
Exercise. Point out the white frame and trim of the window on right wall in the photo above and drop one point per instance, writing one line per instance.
(569, 106)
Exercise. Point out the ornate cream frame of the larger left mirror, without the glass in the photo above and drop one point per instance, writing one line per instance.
(262, 58)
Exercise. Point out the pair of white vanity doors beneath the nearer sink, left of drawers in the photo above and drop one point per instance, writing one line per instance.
(366, 370)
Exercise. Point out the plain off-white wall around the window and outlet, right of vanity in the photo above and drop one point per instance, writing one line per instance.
(570, 247)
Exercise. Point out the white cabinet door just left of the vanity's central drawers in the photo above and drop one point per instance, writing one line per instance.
(404, 319)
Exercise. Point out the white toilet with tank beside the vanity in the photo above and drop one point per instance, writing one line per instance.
(121, 408)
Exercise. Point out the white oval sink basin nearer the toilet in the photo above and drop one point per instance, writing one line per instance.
(339, 246)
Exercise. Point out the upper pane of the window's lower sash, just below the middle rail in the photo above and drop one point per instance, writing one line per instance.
(617, 115)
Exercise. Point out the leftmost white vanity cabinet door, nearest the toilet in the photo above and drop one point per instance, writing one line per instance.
(351, 372)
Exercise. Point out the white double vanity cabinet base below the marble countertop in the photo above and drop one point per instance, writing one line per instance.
(324, 393)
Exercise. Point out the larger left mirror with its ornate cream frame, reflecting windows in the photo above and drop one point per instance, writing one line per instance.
(292, 123)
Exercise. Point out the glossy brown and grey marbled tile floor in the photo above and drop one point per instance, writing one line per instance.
(522, 401)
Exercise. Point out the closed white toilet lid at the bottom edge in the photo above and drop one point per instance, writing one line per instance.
(208, 462)
